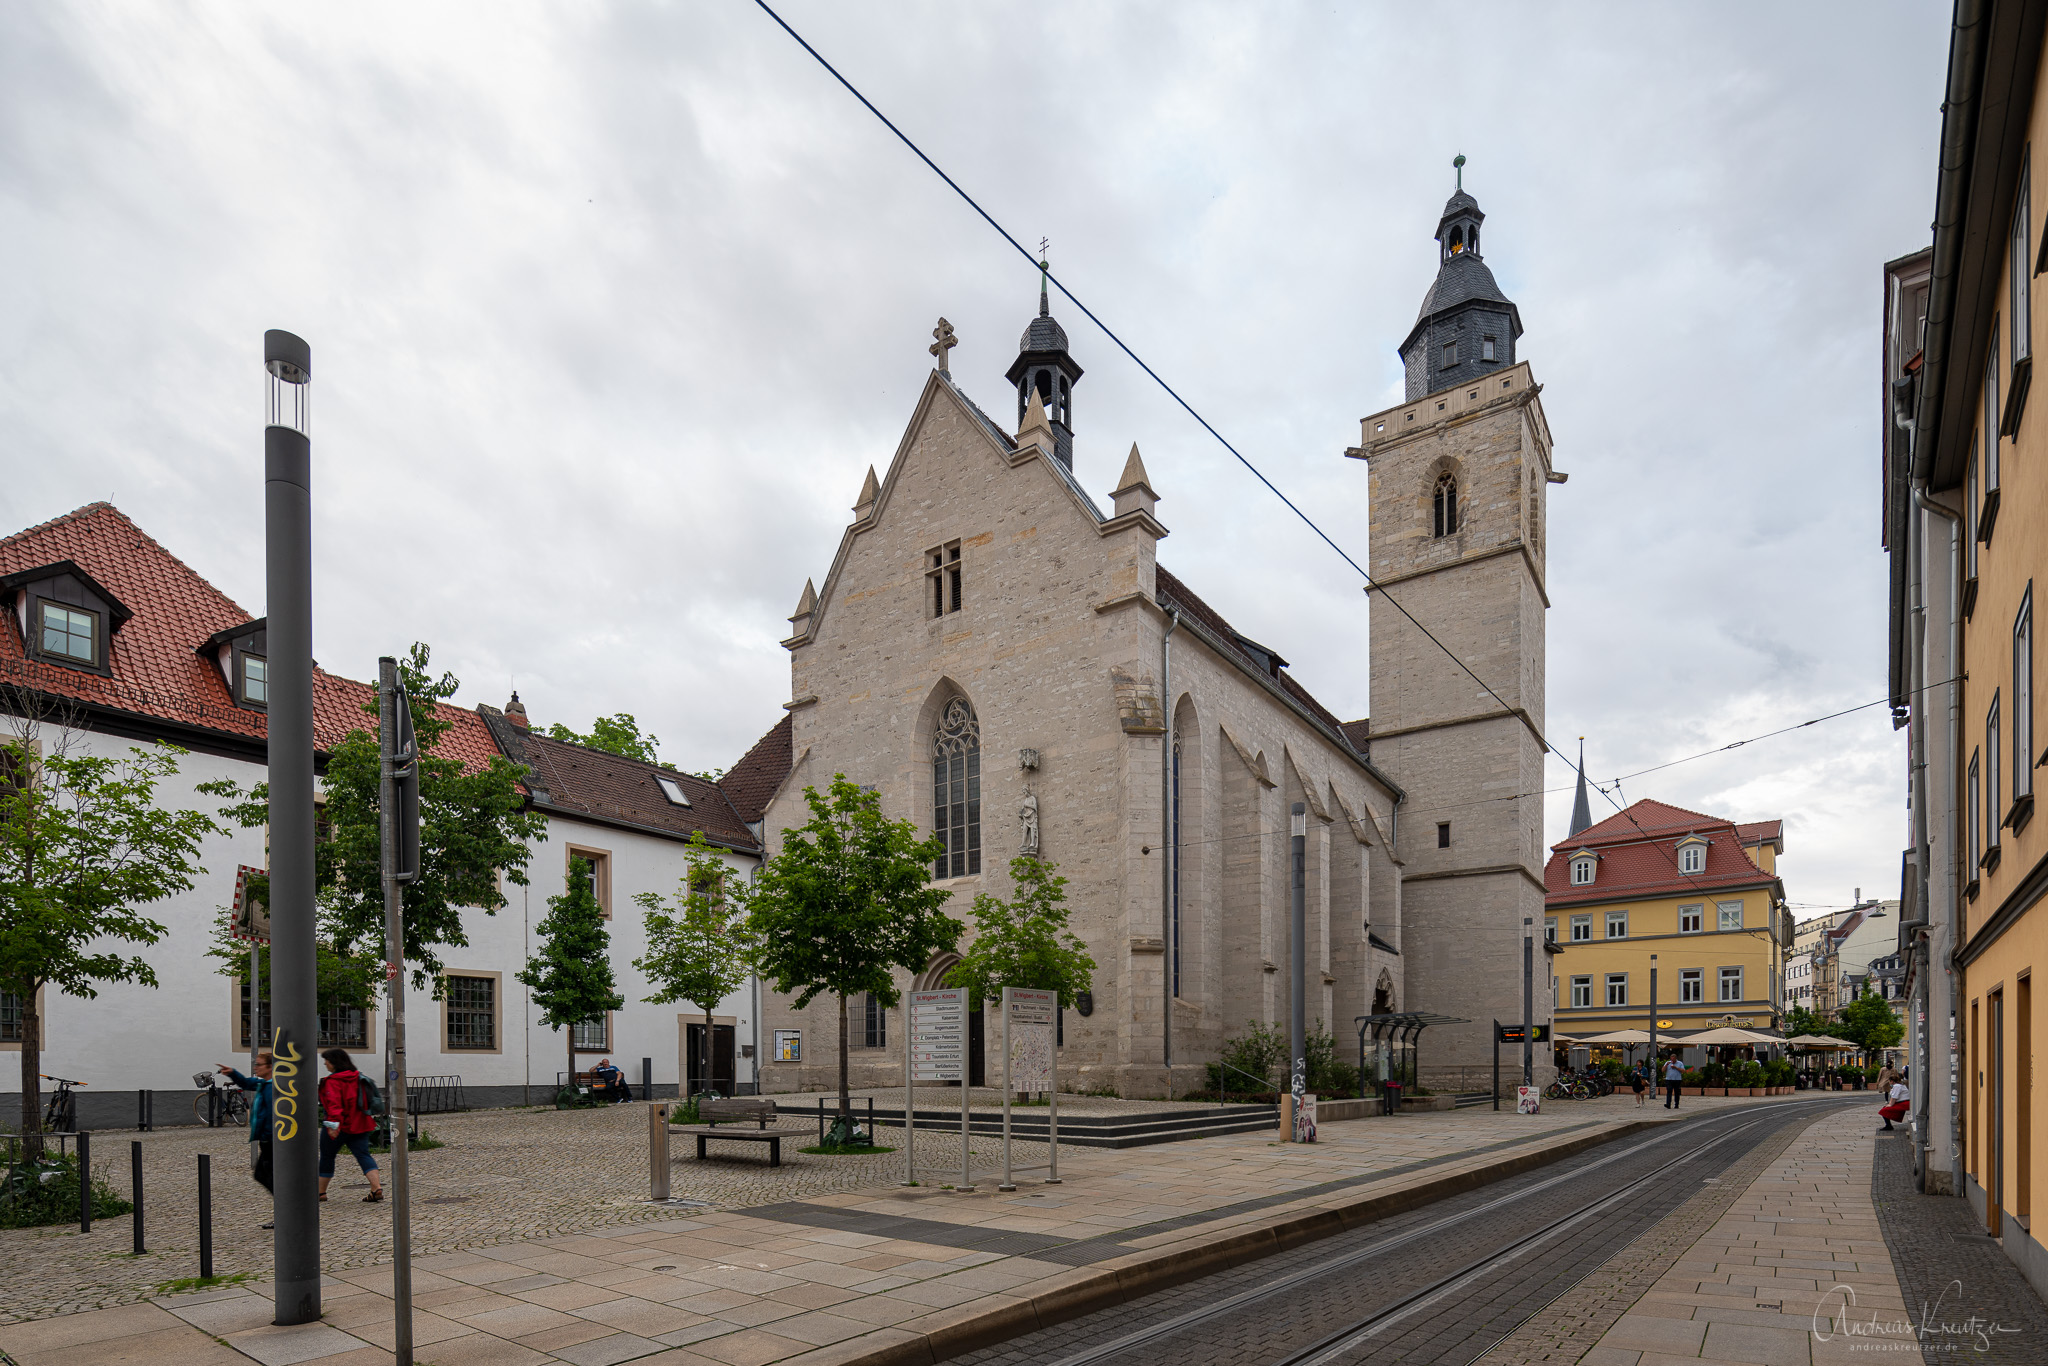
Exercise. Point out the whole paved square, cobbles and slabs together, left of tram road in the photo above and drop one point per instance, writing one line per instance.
(740, 1285)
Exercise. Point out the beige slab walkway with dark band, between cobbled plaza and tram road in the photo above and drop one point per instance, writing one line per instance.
(882, 1275)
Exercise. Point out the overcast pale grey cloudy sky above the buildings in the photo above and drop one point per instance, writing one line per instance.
(613, 304)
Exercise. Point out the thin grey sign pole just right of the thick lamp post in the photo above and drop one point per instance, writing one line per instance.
(388, 814)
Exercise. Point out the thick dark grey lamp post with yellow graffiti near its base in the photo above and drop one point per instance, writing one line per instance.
(294, 984)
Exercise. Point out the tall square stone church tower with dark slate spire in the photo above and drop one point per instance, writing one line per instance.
(1459, 476)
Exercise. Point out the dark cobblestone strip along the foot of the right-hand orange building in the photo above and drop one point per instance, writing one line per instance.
(1951, 1271)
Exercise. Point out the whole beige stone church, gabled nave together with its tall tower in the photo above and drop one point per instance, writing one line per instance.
(1005, 660)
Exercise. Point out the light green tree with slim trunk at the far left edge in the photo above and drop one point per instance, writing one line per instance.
(83, 849)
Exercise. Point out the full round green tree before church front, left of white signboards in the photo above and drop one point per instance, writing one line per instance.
(845, 902)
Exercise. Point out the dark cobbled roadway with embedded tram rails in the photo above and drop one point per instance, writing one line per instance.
(1314, 1304)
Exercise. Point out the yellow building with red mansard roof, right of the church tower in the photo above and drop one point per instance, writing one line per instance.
(1691, 898)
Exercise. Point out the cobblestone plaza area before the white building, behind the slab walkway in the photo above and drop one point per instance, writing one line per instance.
(503, 1177)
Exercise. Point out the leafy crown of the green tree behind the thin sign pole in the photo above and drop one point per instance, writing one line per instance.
(474, 835)
